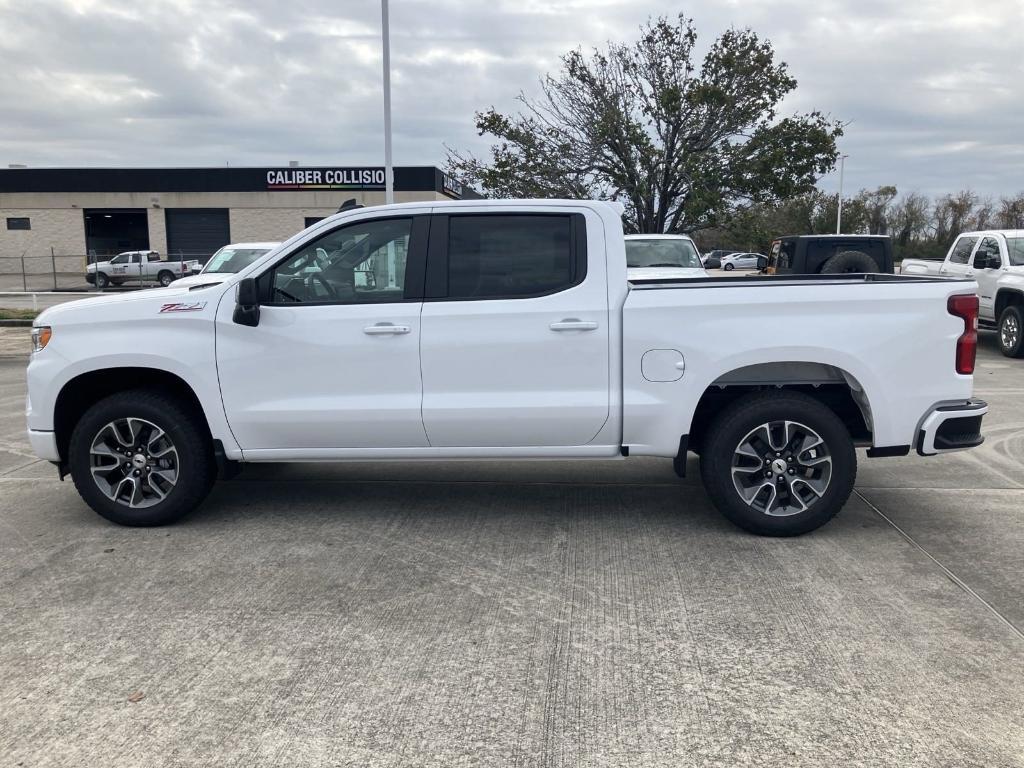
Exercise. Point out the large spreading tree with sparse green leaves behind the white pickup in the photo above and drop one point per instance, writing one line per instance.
(684, 148)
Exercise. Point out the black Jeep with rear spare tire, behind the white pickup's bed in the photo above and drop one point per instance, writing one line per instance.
(831, 254)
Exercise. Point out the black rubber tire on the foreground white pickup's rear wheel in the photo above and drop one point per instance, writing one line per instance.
(730, 433)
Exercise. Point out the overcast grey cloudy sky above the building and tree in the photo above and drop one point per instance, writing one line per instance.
(933, 90)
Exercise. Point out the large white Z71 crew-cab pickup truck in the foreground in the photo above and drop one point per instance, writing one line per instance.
(501, 330)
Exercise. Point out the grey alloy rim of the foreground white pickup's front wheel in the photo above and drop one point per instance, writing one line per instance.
(134, 462)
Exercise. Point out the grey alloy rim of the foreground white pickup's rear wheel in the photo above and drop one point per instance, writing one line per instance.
(782, 468)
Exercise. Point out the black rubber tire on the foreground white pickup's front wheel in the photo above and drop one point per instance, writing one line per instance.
(196, 466)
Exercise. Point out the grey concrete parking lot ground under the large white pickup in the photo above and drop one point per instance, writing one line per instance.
(518, 614)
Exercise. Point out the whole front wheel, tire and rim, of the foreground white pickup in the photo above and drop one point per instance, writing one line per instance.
(142, 458)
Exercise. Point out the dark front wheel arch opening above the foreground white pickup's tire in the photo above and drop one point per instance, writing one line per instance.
(86, 390)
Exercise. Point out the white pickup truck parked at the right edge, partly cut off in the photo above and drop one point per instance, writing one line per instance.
(995, 260)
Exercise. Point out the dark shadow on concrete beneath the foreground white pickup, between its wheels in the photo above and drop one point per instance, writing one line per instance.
(461, 493)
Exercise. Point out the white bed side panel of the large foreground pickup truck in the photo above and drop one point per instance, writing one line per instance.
(887, 336)
